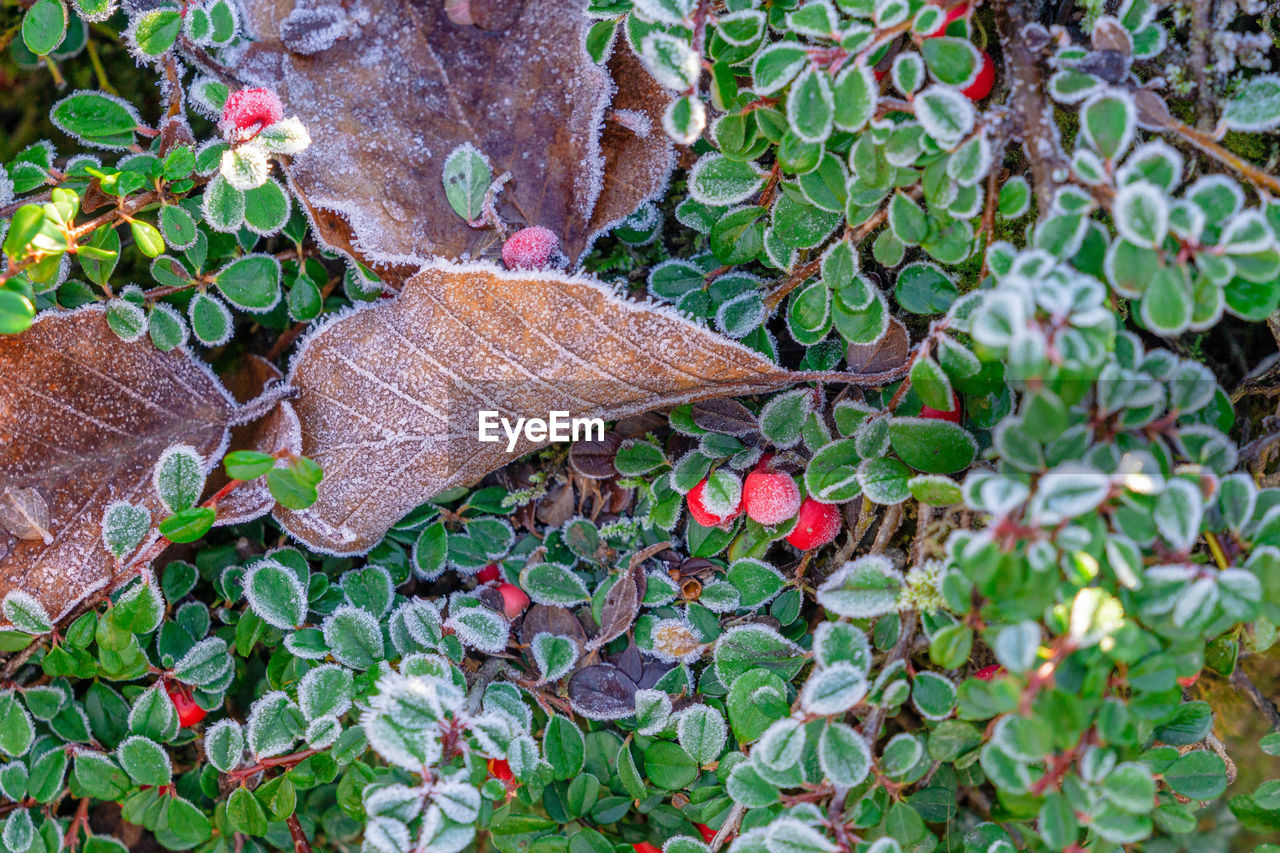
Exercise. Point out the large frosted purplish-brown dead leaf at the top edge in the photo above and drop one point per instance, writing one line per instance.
(388, 92)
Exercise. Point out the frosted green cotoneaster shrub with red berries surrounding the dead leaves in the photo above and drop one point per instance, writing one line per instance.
(967, 612)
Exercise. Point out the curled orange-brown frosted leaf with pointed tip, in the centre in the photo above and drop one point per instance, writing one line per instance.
(390, 398)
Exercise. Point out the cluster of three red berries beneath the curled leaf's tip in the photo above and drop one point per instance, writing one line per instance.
(771, 498)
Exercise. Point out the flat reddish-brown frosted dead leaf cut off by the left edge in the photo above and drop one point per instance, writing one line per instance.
(84, 418)
